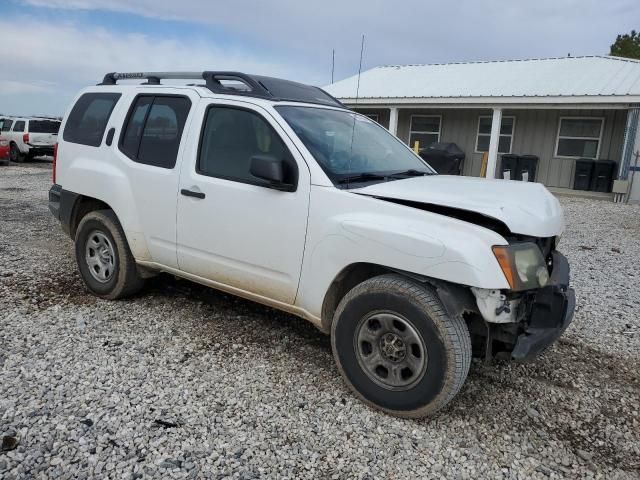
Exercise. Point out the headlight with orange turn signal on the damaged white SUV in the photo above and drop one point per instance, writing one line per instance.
(523, 265)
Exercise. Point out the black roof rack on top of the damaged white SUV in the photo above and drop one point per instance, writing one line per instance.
(236, 83)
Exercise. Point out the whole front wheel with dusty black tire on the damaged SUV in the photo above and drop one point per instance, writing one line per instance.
(445, 344)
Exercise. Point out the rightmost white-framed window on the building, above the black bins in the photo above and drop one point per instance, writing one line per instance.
(579, 137)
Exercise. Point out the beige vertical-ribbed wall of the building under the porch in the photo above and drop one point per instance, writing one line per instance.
(535, 134)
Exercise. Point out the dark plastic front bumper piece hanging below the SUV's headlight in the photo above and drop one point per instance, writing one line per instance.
(551, 313)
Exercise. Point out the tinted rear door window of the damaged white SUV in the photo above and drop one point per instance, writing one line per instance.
(154, 129)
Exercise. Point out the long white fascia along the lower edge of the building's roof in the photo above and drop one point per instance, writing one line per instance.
(587, 102)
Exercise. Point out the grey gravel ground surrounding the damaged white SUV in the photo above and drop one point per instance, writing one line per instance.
(186, 382)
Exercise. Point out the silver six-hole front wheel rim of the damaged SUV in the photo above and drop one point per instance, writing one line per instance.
(390, 350)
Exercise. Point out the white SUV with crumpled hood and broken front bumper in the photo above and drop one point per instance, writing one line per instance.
(274, 191)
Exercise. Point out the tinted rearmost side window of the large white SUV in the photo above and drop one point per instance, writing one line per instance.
(88, 118)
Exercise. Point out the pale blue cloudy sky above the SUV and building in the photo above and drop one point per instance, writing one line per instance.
(51, 49)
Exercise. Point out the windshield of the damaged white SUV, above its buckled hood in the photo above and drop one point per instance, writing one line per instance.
(347, 145)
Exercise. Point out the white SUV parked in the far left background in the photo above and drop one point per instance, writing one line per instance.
(31, 137)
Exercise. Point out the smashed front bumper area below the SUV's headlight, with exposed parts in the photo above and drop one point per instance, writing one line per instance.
(521, 325)
